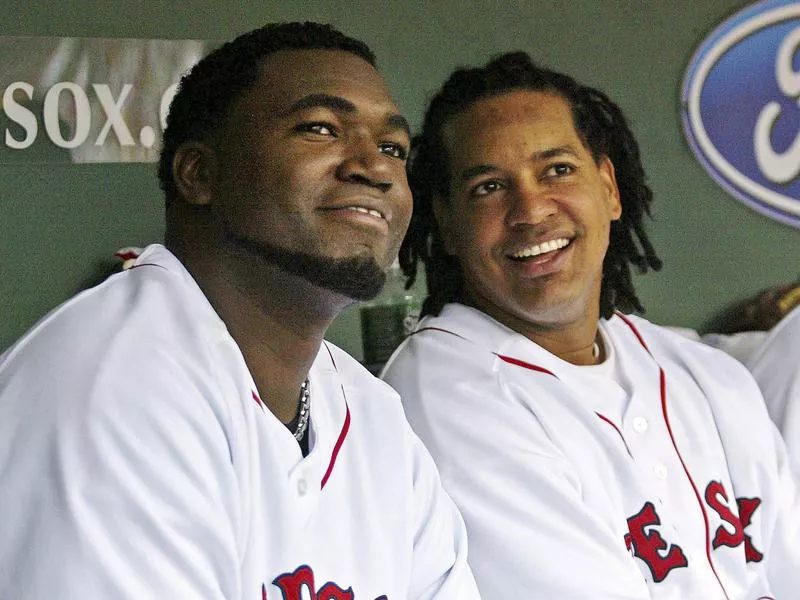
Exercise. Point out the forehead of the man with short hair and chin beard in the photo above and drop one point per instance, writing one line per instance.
(288, 75)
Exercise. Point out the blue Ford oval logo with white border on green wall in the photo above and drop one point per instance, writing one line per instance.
(741, 107)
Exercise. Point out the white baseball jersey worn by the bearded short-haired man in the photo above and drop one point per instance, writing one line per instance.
(137, 461)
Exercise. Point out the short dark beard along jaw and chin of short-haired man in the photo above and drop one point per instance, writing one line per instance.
(356, 277)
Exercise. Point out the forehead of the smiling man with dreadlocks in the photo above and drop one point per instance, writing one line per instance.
(508, 124)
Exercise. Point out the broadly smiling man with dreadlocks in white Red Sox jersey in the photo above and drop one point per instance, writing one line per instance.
(592, 453)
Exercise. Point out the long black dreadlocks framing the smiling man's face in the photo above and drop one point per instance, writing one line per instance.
(602, 128)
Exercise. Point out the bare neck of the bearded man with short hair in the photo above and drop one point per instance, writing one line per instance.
(277, 320)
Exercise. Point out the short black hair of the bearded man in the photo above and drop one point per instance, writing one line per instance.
(207, 91)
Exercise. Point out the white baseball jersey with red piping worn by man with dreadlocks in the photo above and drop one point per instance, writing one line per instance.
(664, 480)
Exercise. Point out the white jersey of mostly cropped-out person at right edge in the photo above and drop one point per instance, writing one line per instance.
(776, 367)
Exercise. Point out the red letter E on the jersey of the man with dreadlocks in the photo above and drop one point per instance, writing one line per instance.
(659, 556)
